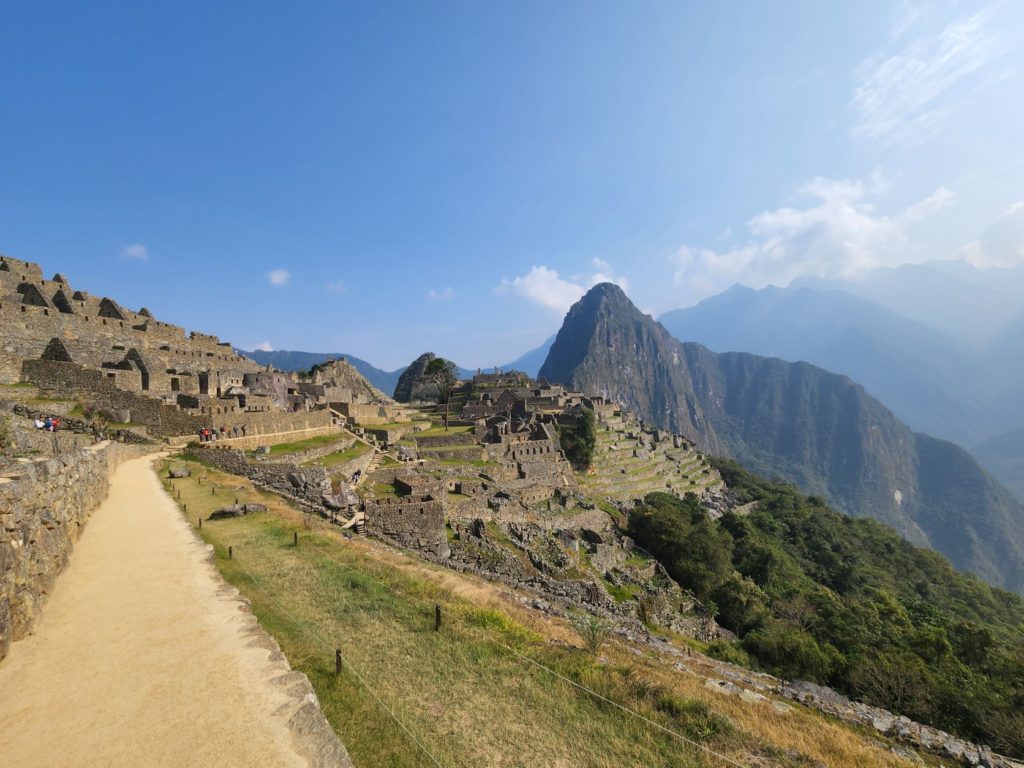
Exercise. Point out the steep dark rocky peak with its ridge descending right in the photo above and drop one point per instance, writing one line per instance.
(800, 422)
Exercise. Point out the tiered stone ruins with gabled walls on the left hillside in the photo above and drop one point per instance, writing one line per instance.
(95, 351)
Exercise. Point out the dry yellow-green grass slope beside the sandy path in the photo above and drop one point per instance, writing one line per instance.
(471, 701)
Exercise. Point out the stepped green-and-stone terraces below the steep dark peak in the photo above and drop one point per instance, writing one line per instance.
(630, 467)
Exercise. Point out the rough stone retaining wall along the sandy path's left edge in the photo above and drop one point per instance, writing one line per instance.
(42, 511)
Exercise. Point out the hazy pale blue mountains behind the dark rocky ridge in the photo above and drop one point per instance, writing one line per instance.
(942, 345)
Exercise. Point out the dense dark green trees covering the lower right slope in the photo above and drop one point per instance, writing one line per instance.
(822, 596)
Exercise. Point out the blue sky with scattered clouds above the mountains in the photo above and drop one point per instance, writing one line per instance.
(387, 179)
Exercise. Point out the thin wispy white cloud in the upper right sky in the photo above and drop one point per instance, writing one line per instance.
(901, 98)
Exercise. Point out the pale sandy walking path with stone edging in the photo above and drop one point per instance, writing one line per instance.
(146, 657)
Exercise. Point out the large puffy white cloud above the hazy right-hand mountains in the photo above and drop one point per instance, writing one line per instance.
(838, 237)
